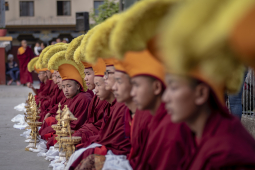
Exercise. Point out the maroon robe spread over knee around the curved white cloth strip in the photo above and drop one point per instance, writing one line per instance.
(113, 134)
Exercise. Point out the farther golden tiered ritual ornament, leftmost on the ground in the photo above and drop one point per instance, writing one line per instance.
(31, 117)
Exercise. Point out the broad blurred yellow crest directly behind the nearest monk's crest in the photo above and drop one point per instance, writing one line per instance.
(138, 25)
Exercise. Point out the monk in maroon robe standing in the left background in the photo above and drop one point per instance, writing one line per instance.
(25, 54)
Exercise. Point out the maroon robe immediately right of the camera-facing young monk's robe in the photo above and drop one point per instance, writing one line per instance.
(94, 120)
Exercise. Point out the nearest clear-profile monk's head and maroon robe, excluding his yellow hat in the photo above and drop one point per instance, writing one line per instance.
(219, 140)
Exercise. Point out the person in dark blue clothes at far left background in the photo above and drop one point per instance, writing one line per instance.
(12, 69)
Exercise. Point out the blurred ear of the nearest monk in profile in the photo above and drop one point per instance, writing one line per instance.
(202, 92)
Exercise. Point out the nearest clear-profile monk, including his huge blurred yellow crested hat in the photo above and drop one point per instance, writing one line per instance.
(195, 95)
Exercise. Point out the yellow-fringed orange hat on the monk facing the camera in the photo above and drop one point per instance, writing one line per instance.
(67, 69)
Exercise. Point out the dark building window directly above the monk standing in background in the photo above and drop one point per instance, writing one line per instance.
(26, 8)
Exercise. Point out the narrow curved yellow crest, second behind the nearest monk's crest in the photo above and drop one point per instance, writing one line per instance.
(99, 42)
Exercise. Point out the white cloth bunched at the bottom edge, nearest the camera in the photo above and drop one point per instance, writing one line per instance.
(116, 162)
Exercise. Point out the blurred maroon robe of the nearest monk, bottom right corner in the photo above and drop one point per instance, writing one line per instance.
(225, 144)
